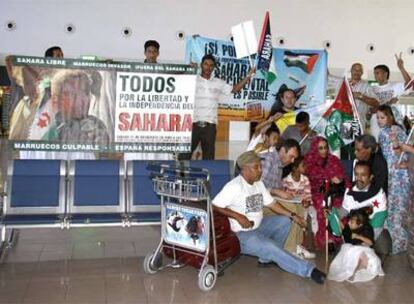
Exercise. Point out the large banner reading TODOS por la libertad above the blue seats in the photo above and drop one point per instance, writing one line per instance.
(78, 105)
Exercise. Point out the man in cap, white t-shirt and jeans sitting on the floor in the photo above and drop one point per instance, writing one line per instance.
(242, 200)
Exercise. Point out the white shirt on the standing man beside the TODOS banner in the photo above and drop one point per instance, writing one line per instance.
(207, 96)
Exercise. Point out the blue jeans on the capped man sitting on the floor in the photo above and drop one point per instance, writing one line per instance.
(266, 242)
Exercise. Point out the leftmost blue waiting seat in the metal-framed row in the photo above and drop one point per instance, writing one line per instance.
(34, 196)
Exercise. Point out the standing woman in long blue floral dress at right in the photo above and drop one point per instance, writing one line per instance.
(399, 186)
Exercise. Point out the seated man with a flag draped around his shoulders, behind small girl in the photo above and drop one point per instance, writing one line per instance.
(377, 203)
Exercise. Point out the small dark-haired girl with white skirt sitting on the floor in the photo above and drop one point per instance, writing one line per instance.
(356, 261)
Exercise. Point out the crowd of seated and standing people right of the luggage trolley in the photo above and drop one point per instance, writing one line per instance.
(361, 217)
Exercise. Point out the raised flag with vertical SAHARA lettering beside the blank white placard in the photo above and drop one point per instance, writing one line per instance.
(265, 64)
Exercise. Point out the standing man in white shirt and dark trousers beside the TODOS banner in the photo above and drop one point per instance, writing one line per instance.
(209, 90)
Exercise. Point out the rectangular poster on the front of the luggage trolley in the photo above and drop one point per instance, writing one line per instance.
(186, 227)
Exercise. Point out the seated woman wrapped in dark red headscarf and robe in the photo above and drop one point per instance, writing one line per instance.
(325, 171)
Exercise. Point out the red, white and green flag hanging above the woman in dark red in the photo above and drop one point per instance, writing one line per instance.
(341, 126)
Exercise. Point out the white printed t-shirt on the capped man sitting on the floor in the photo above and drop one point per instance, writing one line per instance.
(246, 199)
